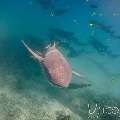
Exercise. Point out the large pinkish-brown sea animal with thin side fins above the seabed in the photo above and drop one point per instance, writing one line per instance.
(58, 68)
